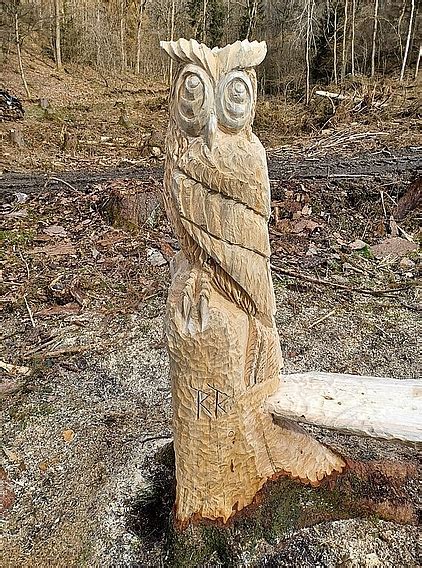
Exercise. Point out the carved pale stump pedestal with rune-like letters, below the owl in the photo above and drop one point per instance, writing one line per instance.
(227, 445)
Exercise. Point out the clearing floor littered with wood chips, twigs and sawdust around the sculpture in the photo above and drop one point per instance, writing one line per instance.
(82, 307)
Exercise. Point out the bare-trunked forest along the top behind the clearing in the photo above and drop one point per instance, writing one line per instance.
(309, 41)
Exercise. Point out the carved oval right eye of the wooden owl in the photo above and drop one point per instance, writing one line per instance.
(234, 100)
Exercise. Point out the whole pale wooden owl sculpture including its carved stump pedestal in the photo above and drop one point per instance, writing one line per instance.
(225, 357)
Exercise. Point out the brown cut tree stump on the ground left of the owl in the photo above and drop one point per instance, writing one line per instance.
(131, 205)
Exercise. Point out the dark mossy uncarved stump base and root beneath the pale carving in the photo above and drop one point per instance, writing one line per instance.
(376, 490)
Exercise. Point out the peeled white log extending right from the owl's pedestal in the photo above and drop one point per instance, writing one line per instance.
(378, 407)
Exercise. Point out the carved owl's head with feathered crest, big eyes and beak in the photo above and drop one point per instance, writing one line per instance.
(214, 89)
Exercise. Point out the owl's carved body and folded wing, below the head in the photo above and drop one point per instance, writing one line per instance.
(224, 207)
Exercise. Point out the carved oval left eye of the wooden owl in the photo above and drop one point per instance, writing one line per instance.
(194, 99)
